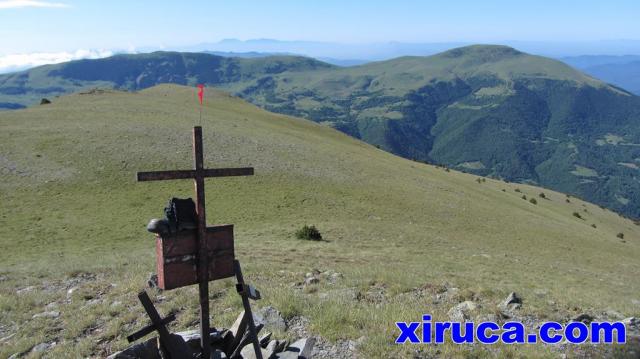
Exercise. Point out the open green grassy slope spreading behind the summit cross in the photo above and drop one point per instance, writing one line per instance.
(71, 209)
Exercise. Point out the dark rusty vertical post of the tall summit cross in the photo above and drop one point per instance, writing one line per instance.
(203, 257)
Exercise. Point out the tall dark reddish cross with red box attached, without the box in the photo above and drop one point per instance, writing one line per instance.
(198, 175)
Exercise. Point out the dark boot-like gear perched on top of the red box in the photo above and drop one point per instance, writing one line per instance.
(180, 214)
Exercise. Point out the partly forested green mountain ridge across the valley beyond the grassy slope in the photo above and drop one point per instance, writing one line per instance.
(485, 109)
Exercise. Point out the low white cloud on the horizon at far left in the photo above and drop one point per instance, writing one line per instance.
(18, 62)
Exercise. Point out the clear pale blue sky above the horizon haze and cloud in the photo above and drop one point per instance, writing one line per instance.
(70, 25)
